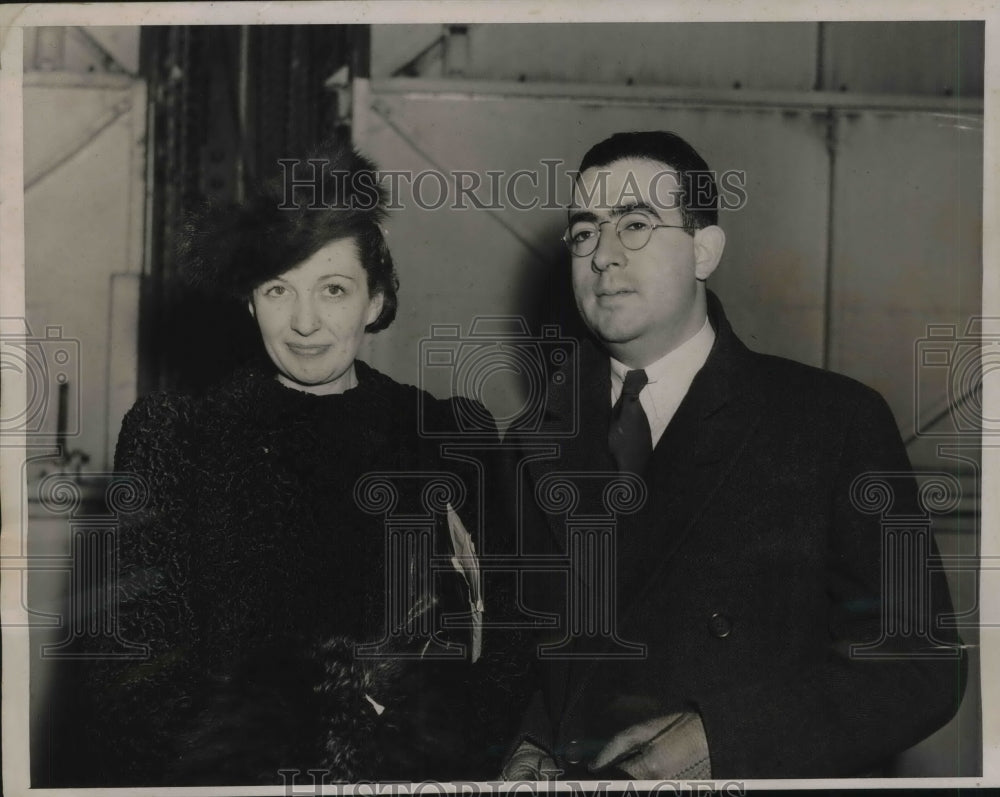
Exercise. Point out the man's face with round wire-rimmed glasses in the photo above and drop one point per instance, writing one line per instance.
(641, 303)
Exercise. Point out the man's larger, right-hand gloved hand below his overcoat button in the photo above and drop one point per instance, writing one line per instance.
(672, 747)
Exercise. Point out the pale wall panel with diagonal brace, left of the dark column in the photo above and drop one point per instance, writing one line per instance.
(84, 151)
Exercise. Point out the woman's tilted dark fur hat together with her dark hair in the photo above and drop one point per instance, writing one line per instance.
(232, 248)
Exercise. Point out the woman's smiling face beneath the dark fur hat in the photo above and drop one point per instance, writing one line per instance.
(312, 318)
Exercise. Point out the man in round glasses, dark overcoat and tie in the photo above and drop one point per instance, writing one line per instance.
(747, 597)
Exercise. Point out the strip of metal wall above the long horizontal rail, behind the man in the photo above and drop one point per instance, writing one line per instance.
(913, 58)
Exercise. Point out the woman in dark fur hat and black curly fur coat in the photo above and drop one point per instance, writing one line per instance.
(263, 559)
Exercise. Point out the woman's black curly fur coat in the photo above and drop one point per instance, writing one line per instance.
(252, 574)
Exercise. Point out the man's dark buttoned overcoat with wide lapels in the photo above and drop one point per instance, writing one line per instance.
(767, 581)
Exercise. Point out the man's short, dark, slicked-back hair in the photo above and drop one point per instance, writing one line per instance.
(699, 193)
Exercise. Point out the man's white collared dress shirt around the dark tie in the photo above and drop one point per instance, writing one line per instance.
(670, 378)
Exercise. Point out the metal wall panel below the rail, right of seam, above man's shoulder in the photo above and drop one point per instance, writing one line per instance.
(907, 232)
